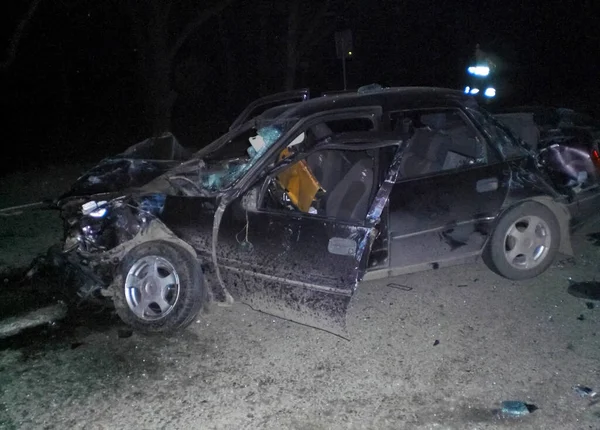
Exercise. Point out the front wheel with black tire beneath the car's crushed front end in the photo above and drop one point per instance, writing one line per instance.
(184, 299)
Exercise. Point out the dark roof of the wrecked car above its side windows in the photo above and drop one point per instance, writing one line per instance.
(395, 98)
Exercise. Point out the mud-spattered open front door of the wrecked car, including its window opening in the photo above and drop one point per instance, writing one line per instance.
(303, 262)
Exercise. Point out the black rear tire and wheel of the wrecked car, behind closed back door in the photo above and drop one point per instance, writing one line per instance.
(499, 246)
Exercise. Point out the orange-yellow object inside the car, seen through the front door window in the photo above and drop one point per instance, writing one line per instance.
(300, 184)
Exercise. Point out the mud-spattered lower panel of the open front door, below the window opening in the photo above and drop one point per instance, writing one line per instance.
(299, 266)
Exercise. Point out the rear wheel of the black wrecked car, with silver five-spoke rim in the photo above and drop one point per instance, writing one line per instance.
(525, 241)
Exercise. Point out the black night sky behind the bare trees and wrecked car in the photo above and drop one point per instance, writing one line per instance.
(74, 91)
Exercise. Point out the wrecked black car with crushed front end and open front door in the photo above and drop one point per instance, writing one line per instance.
(293, 207)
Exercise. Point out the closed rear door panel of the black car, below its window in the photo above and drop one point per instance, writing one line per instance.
(445, 216)
